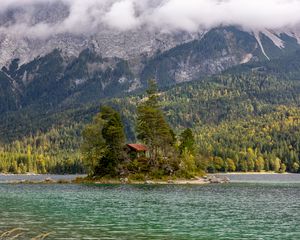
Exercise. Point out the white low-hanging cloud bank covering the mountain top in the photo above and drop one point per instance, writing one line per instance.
(90, 16)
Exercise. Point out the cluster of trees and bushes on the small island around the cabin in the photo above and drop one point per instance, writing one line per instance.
(105, 155)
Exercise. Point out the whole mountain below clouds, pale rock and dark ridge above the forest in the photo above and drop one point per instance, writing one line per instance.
(66, 73)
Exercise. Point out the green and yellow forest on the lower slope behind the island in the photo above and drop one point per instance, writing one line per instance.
(239, 122)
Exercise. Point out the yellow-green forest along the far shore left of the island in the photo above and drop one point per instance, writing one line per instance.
(53, 152)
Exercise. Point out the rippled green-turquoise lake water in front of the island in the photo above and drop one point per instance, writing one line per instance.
(251, 207)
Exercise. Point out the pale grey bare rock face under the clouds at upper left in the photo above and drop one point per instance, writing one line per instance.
(15, 42)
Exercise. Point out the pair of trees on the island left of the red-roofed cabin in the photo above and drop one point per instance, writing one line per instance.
(103, 143)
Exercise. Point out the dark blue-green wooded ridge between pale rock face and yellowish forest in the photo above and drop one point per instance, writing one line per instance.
(54, 83)
